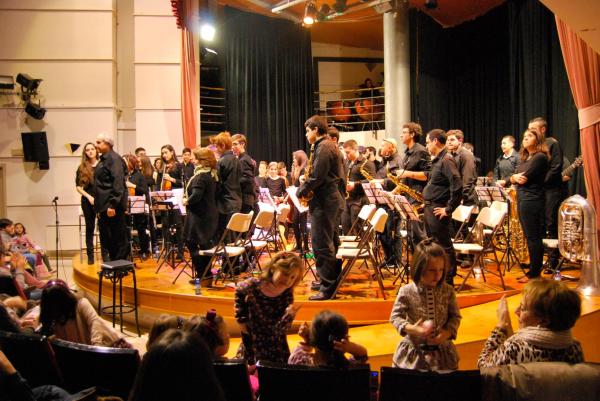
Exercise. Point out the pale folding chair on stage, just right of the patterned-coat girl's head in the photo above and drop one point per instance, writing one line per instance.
(492, 219)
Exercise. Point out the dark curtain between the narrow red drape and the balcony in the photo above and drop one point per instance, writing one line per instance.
(268, 81)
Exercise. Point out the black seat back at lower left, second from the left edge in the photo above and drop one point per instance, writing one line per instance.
(111, 370)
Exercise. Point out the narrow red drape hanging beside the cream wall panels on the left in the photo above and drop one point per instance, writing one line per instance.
(186, 12)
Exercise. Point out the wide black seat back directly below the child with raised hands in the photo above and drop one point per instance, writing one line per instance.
(279, 382)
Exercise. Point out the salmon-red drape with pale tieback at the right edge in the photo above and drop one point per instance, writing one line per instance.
(583, 68)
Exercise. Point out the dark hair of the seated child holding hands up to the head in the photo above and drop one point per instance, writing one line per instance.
(327, 327)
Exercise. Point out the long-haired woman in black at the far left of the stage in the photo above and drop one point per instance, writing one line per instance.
(84, 183)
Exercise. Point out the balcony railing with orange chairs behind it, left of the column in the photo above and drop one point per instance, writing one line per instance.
(353, 109)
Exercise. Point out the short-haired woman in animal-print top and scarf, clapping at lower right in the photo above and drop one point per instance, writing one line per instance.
(547, 313)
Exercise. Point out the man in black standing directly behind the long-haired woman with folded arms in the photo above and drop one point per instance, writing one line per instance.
(553, 192)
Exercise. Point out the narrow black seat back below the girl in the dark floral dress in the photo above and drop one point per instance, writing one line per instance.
(233, 376)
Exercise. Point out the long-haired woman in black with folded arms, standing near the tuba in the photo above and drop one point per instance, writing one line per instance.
(530, 177)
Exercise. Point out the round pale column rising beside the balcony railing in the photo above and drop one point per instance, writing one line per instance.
(396, 55)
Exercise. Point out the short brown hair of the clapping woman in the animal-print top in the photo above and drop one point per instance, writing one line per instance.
(553, 302)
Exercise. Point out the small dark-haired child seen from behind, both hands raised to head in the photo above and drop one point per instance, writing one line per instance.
(326, 343)
